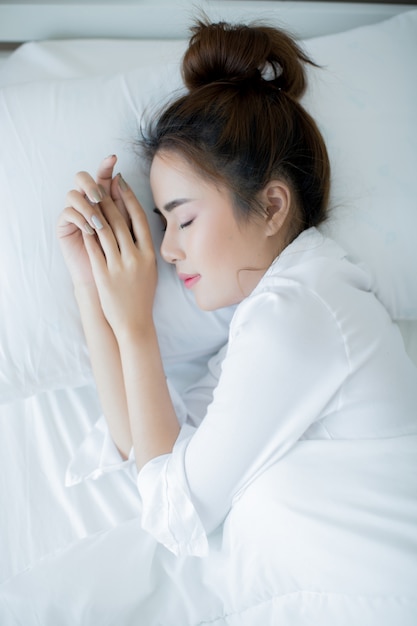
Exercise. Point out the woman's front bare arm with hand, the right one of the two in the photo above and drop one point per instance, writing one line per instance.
(124, 270)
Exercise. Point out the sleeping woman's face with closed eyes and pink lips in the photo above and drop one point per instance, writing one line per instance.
(218, 257)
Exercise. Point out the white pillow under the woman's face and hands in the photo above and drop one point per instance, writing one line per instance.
(49, 130)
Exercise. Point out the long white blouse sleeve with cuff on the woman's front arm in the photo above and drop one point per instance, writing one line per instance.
(283, 370)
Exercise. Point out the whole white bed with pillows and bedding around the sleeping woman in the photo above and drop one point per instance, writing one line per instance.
(74, 81)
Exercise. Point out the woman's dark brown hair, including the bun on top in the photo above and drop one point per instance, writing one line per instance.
(241, 122)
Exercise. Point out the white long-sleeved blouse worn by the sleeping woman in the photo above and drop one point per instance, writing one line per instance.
(311, 354)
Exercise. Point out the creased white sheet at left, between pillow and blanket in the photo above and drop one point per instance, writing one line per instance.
(39, 515)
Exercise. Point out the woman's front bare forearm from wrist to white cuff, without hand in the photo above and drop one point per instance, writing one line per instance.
(153, 423)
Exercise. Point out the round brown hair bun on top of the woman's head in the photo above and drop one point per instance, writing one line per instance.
(235, 52)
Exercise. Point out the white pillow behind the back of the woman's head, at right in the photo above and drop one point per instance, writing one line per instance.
(365, 101)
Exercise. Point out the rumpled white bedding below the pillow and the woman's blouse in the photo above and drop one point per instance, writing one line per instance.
(327, 536)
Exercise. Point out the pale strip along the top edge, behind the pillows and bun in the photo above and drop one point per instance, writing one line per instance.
(24, 20)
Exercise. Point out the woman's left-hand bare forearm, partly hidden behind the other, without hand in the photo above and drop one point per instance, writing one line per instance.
(106, 365)
